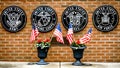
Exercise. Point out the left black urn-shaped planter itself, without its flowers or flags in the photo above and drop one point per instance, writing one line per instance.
(42, 54)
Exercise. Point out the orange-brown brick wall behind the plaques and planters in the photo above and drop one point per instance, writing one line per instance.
(104, 47)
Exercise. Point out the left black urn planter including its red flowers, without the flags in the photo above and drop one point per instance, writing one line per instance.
(42, 49)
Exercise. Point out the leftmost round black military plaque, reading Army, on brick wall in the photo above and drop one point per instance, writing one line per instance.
(13, 18)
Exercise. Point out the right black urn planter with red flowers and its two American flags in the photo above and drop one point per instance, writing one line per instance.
(78, 47)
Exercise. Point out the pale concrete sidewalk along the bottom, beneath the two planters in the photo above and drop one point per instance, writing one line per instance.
(57, 65)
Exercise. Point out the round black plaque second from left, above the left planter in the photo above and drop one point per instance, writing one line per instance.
(45, 18)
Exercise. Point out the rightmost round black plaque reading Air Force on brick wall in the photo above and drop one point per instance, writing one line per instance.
(105, 18)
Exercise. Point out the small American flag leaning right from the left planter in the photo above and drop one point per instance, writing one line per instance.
(58, 34)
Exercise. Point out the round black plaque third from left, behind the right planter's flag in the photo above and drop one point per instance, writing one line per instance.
(75, 15)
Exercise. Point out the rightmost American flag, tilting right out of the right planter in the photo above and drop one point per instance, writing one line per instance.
(86, 38)
